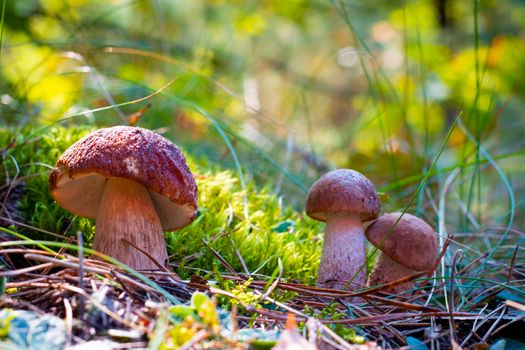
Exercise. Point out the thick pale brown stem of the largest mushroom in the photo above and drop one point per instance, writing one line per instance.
(126, 212)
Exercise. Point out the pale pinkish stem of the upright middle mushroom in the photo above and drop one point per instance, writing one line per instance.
(344, 254)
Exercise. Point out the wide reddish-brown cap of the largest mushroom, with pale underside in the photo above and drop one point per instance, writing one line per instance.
(79, 177)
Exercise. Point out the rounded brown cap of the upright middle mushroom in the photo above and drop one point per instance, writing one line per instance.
(343, 192)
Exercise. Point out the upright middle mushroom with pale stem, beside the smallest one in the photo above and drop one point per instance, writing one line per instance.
(343, 198)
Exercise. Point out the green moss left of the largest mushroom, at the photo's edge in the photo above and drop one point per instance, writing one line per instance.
(28, 156)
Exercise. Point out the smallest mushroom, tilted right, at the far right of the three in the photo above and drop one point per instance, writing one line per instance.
(411, 246)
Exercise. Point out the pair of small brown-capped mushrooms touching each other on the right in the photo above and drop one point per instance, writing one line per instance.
(345, 199)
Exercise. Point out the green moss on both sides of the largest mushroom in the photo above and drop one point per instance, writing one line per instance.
(230, 218)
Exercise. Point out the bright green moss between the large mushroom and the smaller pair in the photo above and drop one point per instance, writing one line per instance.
(222, 226)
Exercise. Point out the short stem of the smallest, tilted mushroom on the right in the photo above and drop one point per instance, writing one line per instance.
(387, 270)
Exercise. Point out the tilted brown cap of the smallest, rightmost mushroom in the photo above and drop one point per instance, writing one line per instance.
(411, 243)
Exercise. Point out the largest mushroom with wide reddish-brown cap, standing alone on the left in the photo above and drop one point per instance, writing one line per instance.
(135, 183)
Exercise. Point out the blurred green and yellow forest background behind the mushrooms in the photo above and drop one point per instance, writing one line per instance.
(283, 91)
